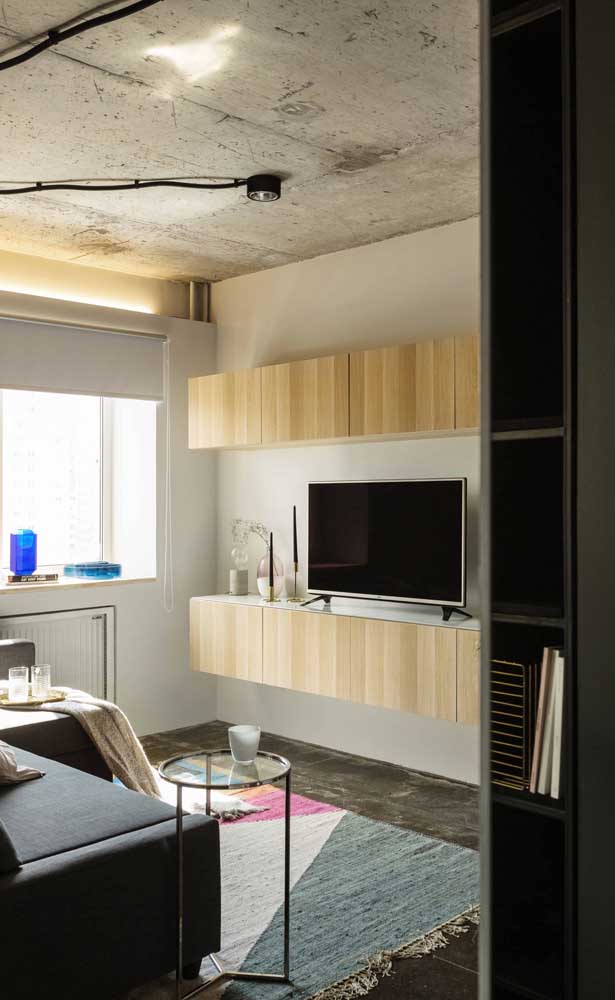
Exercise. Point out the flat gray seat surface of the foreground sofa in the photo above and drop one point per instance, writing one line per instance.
(70, 809)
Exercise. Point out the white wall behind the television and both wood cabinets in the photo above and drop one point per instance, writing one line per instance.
(412, 287)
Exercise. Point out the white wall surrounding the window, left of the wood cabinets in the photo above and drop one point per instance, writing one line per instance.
(155, 686)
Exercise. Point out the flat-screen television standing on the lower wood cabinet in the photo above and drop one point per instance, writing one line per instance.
(402, 540)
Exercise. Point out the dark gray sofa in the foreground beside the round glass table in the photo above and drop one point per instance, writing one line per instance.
(92, 911)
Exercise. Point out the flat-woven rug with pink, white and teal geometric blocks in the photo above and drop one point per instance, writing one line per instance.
(362, 893)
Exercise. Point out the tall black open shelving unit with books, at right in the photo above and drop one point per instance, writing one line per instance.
(528, 515)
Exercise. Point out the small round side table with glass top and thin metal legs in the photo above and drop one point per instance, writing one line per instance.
(215, 770)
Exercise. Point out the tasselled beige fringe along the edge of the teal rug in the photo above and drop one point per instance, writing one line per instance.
(360, 983)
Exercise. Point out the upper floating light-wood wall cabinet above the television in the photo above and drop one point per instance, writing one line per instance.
(427, 387)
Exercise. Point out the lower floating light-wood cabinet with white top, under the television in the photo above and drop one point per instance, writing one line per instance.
(398, 660)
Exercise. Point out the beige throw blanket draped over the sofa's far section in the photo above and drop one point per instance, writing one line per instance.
(113, 736)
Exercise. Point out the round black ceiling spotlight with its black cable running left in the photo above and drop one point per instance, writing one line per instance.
(260, 187)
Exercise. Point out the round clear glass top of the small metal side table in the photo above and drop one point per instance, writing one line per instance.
(217, 769)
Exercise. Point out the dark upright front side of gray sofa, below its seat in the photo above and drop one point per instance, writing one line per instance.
(103, 918)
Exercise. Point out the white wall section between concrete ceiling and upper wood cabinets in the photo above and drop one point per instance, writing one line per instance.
(408, 288)
